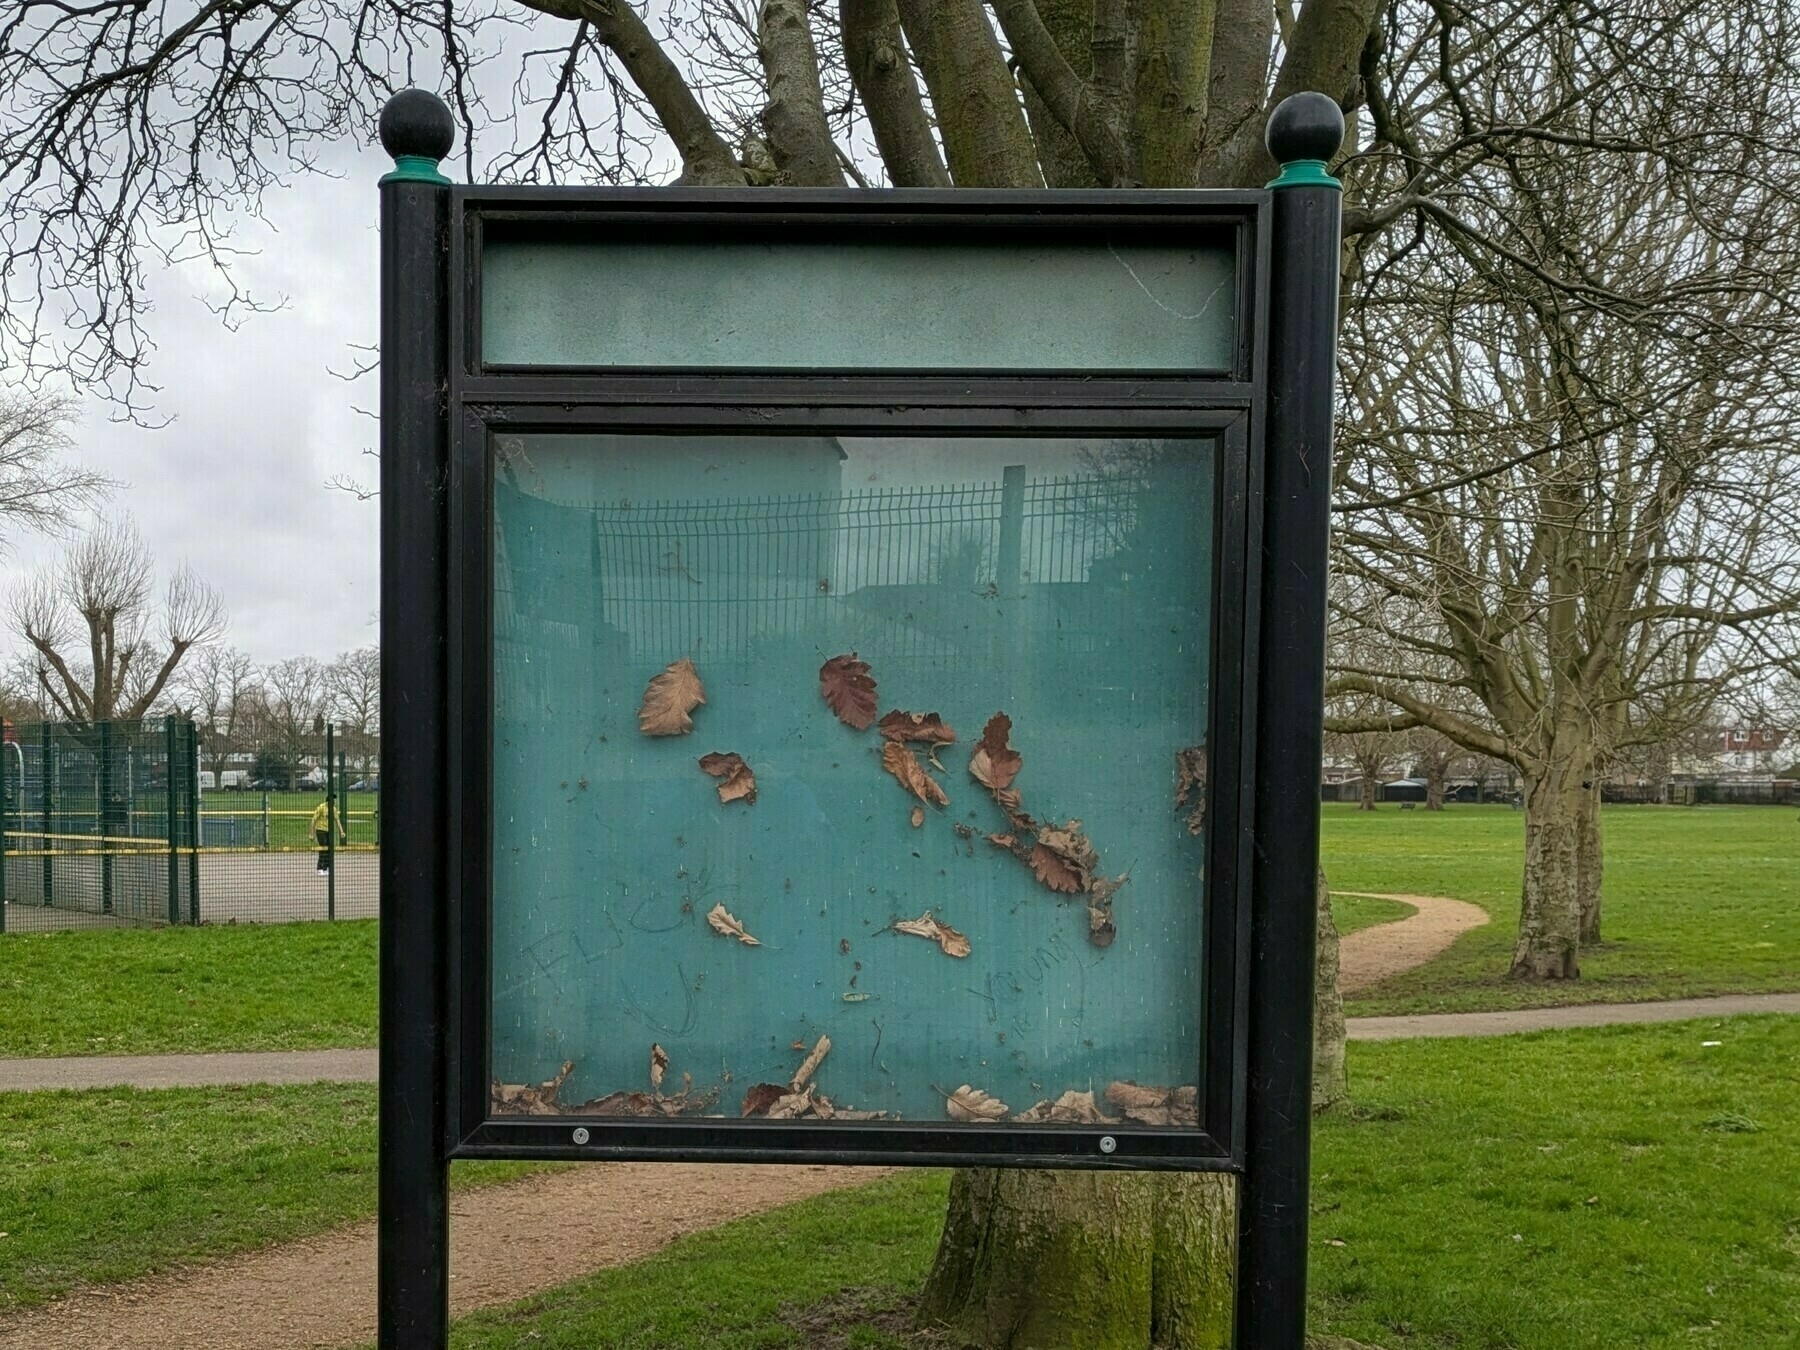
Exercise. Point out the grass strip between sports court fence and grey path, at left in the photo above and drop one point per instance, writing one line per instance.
(148, 991)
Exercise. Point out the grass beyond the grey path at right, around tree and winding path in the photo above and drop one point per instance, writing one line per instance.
(1698, 901)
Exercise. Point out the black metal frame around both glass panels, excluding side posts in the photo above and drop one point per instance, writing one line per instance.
(523, 400)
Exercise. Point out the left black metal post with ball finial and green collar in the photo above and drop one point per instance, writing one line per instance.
(415, 1203)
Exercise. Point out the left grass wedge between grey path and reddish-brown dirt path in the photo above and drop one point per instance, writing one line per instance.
(118, 1183)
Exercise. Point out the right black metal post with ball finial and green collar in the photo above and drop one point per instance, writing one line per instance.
(1272, 1295)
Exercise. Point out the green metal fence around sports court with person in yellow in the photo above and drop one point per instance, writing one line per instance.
(116, 823)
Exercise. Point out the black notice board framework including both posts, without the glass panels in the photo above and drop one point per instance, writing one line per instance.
(1273, 420)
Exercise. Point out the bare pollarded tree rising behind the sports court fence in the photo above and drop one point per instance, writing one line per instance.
(100, 647)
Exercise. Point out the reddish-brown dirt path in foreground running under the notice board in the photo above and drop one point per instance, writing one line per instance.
(505, 1243)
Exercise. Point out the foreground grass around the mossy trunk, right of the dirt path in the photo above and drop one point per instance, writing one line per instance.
(1574, 1191)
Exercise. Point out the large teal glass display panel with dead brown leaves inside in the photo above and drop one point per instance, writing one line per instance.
(733, 879)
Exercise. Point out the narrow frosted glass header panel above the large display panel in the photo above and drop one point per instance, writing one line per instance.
(886, 305)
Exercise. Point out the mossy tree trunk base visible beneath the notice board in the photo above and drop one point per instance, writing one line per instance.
(1086, 1261)
